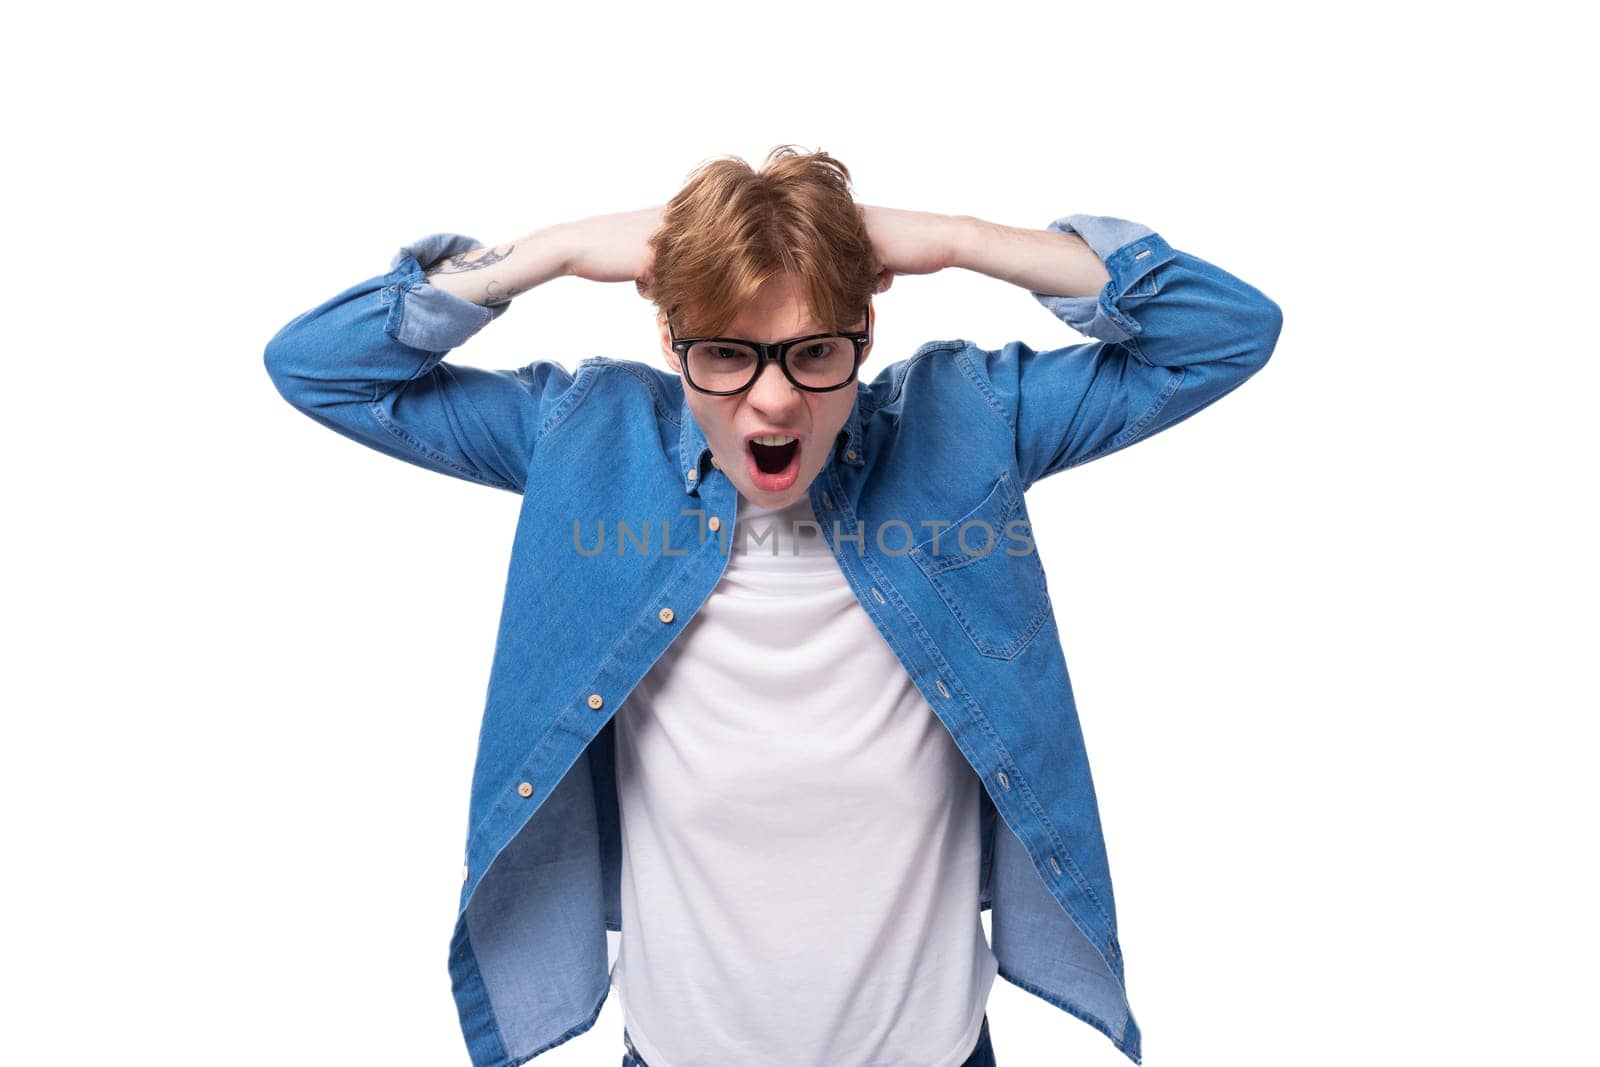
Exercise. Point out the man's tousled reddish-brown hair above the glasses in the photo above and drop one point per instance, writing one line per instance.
(732, 230)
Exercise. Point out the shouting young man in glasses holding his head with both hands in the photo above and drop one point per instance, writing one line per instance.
(778, 692)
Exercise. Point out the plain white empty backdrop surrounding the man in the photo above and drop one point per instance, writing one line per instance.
(1330, 639)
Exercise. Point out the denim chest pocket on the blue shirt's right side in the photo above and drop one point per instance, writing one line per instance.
(988, 572)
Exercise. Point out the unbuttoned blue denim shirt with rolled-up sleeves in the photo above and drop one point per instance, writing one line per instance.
(946, 439)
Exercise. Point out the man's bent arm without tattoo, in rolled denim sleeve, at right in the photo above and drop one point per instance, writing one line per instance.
(1172, 332)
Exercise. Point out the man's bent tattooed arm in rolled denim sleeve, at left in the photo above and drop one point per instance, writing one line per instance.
(370, 362)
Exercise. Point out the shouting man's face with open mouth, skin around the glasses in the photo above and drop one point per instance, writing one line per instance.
(774, 404)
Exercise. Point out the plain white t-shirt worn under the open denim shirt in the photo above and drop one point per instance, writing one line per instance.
(801, 836)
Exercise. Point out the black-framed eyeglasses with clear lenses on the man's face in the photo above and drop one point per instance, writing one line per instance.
(724, 367)
